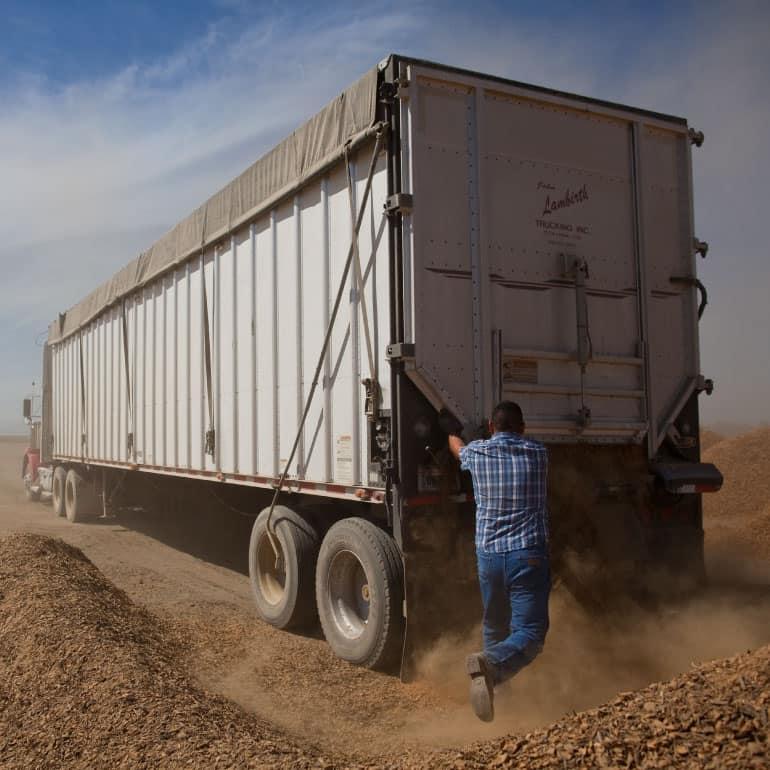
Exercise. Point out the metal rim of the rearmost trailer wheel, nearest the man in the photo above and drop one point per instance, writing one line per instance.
(349, 593)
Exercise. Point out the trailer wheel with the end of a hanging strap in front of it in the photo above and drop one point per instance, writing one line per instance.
(284, 594)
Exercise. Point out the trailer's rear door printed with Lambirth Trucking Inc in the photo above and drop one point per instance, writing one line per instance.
(542, 243)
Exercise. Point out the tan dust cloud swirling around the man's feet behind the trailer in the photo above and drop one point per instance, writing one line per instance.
(587, 661)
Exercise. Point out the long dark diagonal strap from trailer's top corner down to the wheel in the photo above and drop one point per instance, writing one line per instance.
(352, 252)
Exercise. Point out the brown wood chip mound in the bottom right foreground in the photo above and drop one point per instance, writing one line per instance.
(716, 716)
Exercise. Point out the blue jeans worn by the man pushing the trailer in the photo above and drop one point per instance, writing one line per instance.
(514, 589)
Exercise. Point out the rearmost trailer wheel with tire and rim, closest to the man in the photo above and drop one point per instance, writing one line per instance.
(359, 593)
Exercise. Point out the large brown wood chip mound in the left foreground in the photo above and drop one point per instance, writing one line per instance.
(87, 679)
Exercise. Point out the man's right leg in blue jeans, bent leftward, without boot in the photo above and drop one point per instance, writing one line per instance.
(528, 585)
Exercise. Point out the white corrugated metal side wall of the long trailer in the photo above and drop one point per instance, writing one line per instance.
(268, 289)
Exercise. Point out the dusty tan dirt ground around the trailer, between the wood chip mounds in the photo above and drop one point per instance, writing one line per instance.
(190, 570)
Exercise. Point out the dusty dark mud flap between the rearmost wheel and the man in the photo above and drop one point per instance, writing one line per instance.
(441, 584)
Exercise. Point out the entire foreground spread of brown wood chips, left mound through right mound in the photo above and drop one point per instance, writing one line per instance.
(89, 679)
